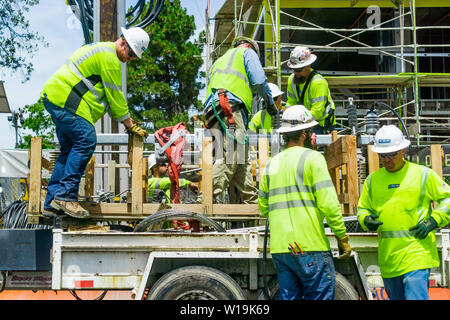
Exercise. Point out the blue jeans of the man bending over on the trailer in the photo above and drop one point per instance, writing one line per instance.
(77, 139)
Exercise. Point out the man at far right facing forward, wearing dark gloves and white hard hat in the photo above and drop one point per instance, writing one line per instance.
(396, 202)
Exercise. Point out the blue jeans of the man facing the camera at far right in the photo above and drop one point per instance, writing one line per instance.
(412, 285)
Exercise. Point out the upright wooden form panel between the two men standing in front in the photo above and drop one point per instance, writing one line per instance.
(341, 155)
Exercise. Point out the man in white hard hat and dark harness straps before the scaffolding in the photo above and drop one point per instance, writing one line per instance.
(309, 88)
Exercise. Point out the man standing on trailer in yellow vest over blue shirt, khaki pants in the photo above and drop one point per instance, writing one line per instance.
(232, 78)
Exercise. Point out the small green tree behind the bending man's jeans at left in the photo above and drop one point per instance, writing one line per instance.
(40, 123)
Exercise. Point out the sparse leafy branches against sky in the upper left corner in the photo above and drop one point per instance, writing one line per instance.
(17, 42)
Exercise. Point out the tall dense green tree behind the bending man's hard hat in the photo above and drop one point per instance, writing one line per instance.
(163, 85)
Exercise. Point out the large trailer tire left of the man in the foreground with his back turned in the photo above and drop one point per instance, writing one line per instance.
(196, 283)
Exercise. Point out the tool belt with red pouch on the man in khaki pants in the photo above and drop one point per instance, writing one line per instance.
(226, 110)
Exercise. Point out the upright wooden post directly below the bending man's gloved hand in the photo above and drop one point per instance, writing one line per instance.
(136, 174)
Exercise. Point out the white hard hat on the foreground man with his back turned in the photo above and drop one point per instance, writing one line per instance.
(296, 118)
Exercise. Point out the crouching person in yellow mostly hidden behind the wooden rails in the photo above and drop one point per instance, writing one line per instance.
(159, 181)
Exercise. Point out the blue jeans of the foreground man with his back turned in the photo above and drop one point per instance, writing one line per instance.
(308, 276)
